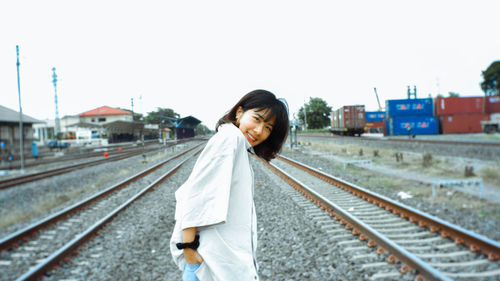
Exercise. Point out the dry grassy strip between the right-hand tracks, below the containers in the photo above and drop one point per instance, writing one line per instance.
(420, 164)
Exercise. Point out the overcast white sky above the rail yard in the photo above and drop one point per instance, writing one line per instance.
(200, 57)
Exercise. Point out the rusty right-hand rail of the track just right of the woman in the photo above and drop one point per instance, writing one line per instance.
(474, 241)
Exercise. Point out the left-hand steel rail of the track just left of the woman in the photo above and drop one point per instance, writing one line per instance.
(25, 233)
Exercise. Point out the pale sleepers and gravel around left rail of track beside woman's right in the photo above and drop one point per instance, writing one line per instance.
(439, 252)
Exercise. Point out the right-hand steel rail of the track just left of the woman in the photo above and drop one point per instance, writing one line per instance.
(70, 247)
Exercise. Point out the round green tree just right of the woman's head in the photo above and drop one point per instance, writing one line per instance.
(317, 113)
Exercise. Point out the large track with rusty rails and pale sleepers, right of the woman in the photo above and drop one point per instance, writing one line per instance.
(384, 235)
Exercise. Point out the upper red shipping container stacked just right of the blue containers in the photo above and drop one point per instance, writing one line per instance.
(458, 105)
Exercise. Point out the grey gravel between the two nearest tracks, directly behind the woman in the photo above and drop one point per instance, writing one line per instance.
(135, 245)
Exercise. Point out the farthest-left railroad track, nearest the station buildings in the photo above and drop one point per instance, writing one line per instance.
(12, 182)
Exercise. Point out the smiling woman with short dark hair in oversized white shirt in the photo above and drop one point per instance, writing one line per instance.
(215, 234)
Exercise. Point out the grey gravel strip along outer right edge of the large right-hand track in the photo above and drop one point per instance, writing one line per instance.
(464, 217)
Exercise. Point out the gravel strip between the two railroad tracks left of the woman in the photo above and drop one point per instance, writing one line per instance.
(27, 203)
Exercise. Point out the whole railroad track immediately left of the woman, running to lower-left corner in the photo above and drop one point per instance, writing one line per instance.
(30, 252)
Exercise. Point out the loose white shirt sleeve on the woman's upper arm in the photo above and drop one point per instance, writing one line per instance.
(203, 199)
